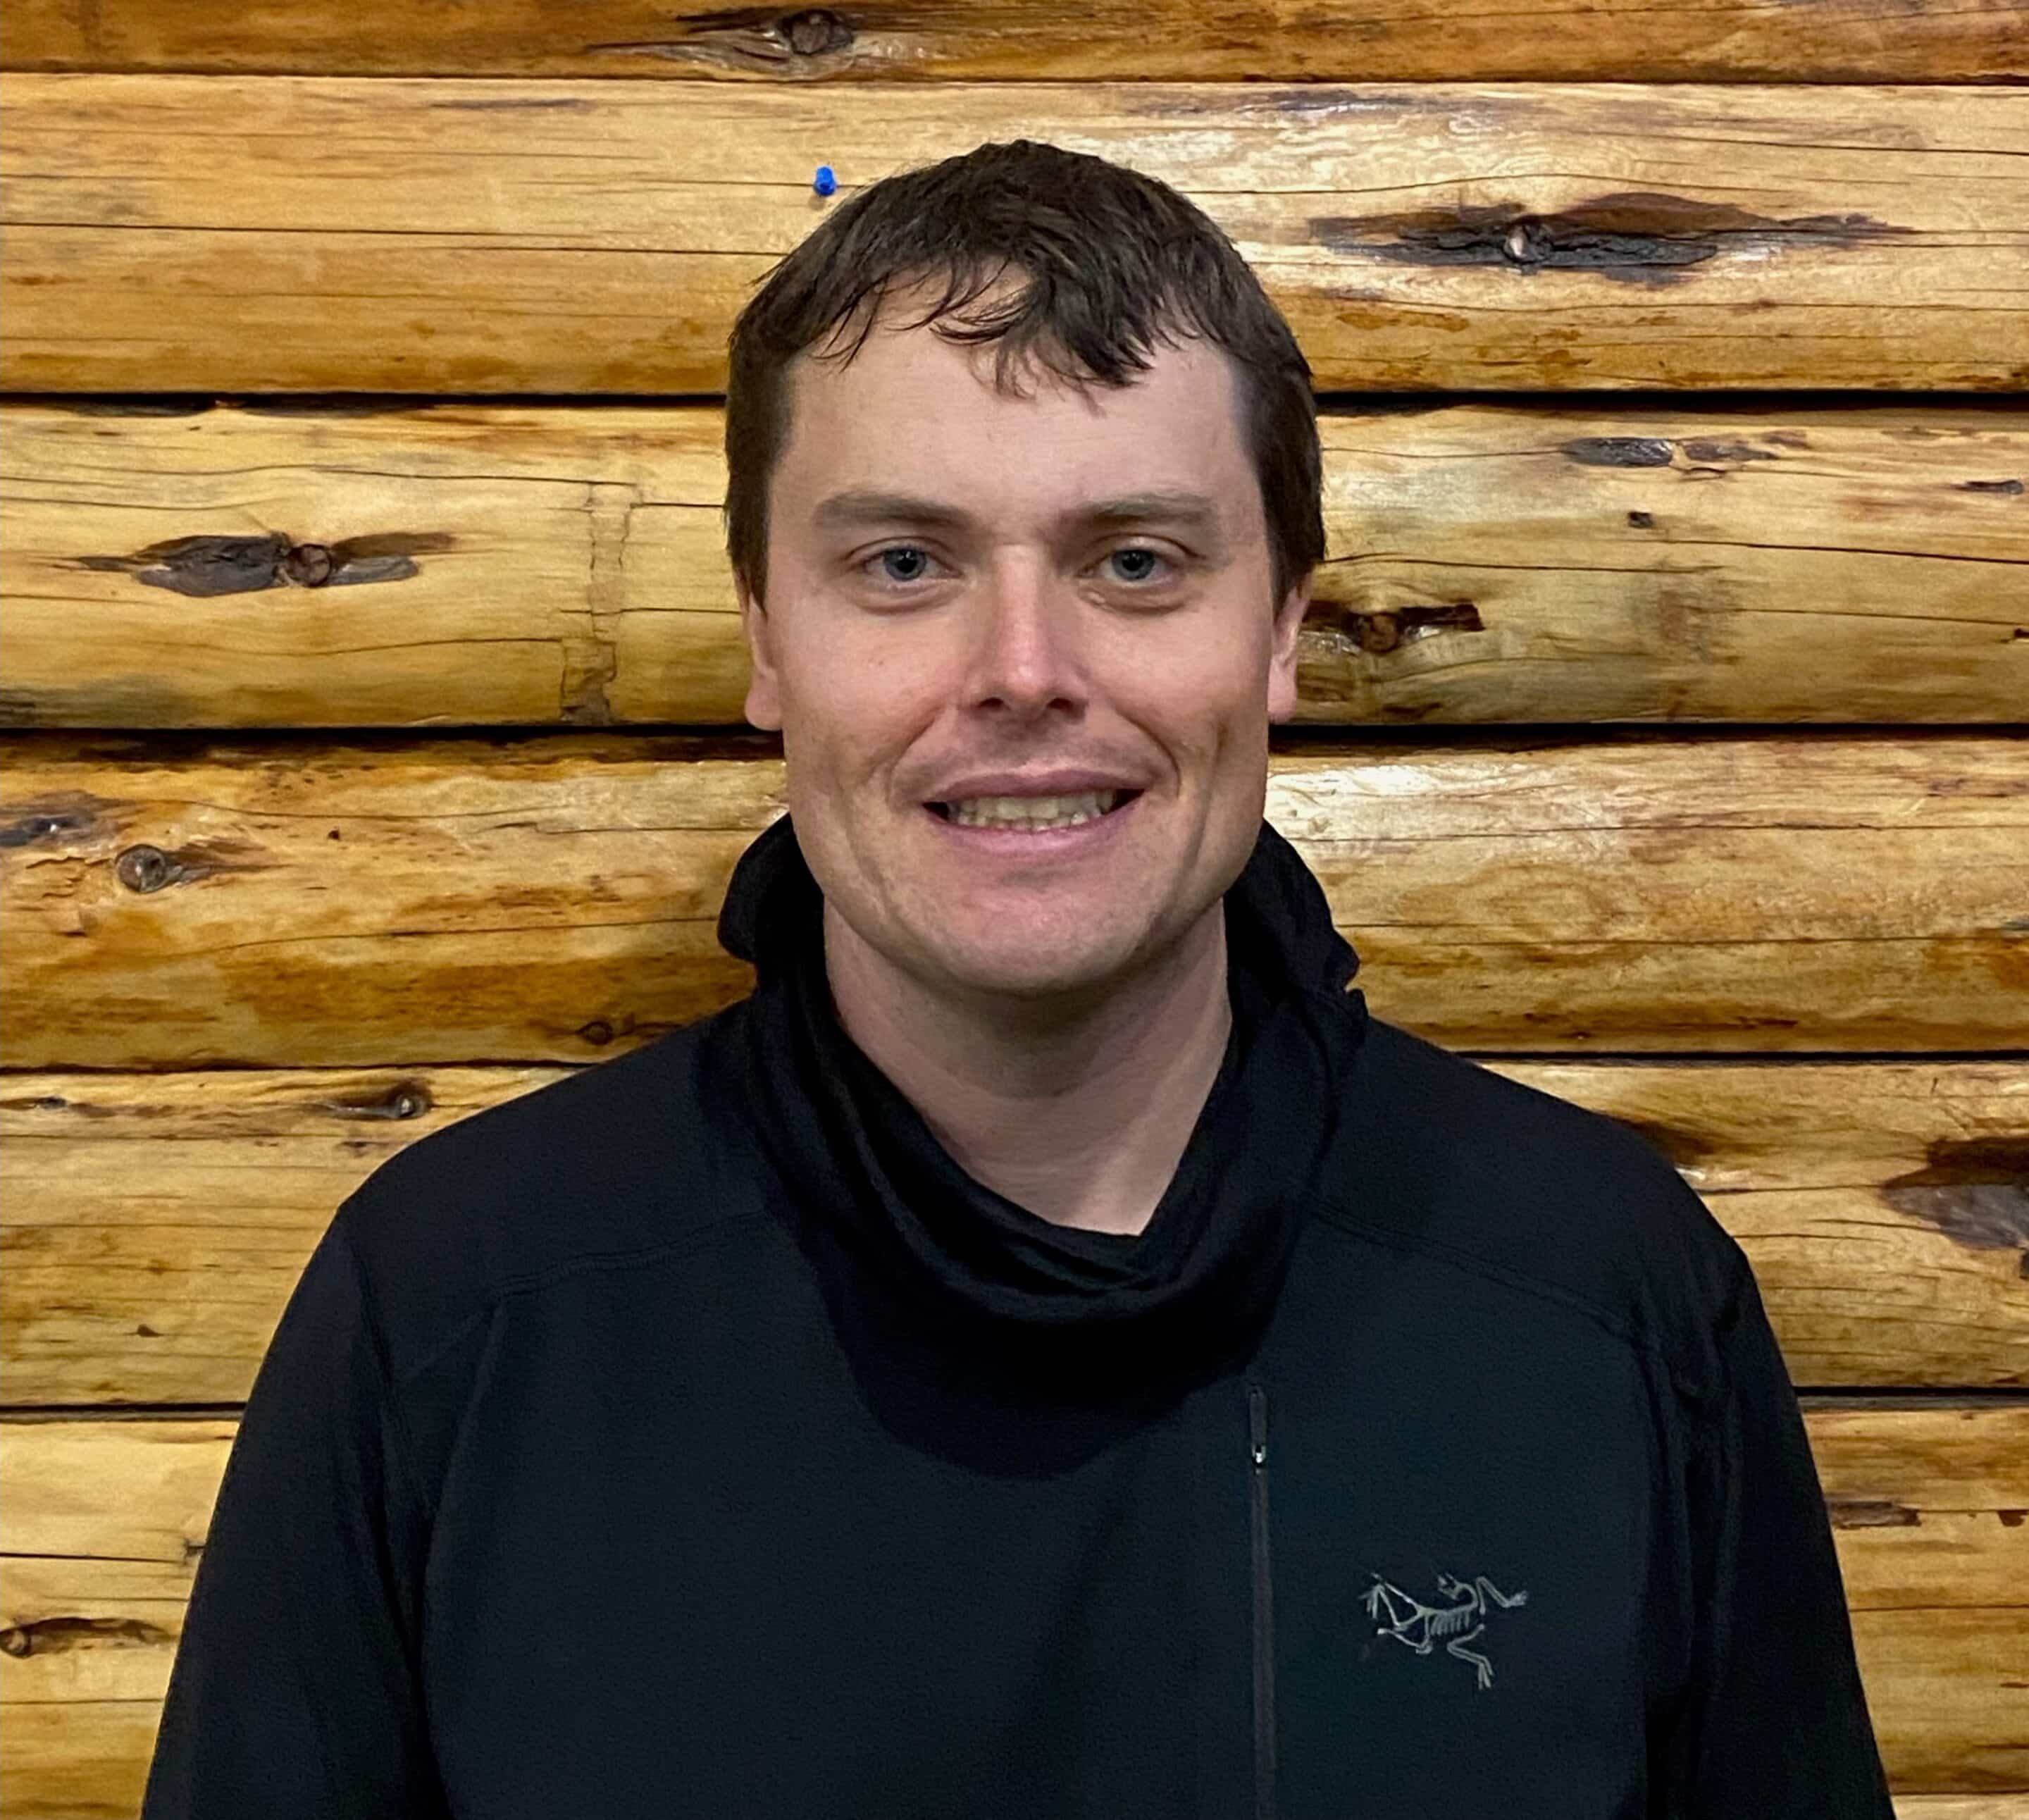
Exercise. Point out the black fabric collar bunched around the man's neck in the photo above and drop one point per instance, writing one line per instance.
(922, 1261)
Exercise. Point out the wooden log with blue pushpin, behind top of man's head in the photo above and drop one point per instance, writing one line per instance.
(281, 234)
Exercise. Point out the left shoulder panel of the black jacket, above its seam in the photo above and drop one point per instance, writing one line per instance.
(614, 1162)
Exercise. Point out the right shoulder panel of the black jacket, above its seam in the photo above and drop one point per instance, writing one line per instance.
(1551, 1198)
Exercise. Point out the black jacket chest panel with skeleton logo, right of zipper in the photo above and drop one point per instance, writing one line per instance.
(1462, 1569)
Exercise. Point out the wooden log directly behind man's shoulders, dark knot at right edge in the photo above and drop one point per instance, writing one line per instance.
(157, 1224)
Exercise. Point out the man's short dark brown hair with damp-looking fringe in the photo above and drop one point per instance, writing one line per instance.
(1113, 261)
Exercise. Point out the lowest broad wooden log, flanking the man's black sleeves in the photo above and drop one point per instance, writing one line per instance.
(107, 1521)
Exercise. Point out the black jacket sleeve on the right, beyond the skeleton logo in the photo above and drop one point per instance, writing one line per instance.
(1776, 1720)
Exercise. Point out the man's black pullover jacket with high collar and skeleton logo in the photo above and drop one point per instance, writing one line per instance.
(693, 1438)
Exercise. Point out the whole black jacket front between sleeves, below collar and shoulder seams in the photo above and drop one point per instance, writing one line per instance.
(1403, 1578)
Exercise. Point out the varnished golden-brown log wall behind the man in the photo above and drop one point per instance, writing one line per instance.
(370, 677)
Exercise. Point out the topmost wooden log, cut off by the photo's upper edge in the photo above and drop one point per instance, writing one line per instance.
(1022, 42)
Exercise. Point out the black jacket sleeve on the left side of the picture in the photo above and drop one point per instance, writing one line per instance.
(295, 1687)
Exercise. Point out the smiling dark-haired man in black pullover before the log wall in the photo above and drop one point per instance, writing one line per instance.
(1048, 1352)
